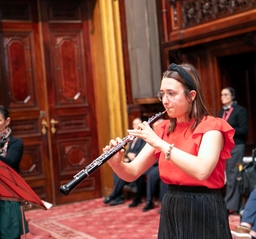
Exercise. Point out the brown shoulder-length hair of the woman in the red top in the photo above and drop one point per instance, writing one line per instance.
(197, 109)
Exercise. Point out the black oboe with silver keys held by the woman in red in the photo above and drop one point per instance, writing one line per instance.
(95, 164)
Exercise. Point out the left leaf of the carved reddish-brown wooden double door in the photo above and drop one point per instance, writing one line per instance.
(22, 91)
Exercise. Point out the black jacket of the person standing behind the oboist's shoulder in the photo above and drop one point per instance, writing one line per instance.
(238, 119)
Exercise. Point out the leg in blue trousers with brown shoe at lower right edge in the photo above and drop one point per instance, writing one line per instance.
(247, 227)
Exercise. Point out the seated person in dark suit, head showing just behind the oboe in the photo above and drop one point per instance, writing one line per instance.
(116, 196)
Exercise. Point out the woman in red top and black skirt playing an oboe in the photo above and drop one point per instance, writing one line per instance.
(192, 147)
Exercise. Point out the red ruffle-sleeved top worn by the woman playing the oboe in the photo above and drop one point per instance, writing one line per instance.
(183, 138)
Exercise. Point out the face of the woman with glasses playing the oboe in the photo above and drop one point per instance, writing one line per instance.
(174, 99)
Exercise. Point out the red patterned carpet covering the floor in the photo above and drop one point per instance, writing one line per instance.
(94, 220)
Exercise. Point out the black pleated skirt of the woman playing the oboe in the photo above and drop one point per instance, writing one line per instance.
(193, 213)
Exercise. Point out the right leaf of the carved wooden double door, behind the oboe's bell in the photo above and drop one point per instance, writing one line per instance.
(72, 124)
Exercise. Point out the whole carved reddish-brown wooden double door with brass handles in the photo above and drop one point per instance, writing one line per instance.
(47, 84)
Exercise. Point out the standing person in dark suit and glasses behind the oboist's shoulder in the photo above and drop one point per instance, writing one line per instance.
(236, 115)
